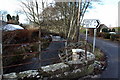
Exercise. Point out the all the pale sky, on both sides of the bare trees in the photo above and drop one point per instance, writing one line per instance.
(106, 11)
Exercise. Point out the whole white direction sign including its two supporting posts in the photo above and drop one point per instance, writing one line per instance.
(91, 23)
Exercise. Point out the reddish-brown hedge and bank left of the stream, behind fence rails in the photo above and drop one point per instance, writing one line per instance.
(29, 39)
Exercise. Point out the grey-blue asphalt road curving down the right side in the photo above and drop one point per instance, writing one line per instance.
(111, 51)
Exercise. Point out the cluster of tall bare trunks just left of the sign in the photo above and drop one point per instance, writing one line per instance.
(72, 14)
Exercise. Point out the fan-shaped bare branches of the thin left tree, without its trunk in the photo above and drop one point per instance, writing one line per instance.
(33, 9)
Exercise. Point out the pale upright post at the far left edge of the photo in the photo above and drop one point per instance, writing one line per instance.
(1, 66)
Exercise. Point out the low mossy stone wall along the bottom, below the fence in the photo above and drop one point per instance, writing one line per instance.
(73, 69)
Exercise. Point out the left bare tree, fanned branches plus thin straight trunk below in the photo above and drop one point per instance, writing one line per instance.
(33, 9)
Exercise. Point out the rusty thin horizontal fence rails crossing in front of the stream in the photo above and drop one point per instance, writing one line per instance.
(31, 53)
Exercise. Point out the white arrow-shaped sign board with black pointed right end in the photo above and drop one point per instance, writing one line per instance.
(91, 23)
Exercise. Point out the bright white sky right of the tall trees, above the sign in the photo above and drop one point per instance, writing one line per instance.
(106, 12)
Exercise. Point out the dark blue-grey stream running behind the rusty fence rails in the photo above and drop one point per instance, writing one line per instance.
(51, 52)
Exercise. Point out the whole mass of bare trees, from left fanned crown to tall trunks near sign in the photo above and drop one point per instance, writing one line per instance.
(66, 15)
